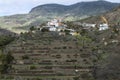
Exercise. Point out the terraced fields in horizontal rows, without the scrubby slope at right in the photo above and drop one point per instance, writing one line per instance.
(48, 56)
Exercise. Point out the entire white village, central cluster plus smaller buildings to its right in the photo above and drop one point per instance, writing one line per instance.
(57, 25)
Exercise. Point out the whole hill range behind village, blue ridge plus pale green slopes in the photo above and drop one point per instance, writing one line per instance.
(21, 22)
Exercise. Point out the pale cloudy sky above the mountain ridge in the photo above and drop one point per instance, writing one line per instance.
(10, 7)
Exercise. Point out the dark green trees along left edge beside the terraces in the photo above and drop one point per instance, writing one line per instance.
(5, 59)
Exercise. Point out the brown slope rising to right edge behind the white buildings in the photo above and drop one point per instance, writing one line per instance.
(113, 17)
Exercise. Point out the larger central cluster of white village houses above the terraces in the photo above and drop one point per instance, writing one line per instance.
(56, 25)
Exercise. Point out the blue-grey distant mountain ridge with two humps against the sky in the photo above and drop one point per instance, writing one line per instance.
(78, 9)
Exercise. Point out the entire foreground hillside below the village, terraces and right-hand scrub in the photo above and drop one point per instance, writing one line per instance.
(93, 55)
